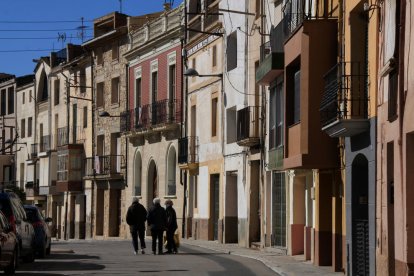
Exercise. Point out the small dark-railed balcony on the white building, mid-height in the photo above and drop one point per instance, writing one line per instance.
(248, 126)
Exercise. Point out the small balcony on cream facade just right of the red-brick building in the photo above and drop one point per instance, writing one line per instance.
(188, 152)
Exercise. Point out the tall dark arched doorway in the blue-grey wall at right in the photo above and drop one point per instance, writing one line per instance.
(360, 224)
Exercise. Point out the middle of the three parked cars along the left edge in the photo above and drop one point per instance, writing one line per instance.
(12, 208)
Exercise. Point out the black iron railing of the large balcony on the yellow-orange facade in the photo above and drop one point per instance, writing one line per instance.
(346, 93)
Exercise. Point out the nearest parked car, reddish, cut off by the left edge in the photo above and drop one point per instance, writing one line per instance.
(9, 247)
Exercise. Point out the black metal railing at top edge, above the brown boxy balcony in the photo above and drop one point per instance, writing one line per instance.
(296, 11)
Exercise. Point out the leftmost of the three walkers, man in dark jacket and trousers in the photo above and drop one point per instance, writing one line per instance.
(136, 217)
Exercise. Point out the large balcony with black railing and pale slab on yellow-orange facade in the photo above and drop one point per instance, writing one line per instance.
(344, 106)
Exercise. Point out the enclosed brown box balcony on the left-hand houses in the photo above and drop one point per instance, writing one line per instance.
(69, 168)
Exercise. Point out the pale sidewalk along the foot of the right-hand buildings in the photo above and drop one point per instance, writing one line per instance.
(277, 261)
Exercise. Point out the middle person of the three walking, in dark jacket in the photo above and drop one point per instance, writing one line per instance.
(157, 220)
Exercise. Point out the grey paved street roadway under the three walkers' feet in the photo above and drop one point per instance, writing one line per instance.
(116, 258)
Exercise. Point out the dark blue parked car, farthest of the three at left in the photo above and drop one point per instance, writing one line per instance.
(43, 239)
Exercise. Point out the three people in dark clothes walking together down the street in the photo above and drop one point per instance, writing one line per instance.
(158, 220)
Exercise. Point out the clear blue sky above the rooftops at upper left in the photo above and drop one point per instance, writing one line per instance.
(20, 44)
